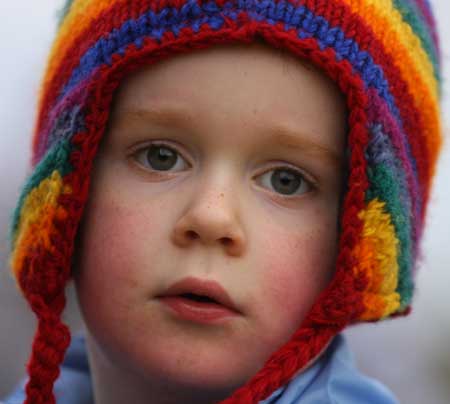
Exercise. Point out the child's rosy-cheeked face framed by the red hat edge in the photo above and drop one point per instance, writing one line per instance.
(218, 204)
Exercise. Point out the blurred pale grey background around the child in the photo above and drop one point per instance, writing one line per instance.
(409, 355)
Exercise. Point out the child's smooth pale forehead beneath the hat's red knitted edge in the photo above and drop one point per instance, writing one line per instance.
(235, 87)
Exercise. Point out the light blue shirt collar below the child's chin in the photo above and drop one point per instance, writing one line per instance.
(332, 379)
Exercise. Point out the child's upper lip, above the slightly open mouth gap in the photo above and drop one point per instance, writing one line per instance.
(201, 287)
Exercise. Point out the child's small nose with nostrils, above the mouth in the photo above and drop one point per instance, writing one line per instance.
(211, 220)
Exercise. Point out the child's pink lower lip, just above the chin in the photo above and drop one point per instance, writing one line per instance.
(198, 312)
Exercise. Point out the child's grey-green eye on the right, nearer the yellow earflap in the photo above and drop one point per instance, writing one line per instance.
(287, 181)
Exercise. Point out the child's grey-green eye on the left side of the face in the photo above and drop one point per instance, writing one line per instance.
(159, 157)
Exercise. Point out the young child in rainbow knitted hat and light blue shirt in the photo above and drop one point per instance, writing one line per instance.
(229, 185)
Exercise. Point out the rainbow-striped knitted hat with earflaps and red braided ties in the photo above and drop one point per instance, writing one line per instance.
(383, 55)
